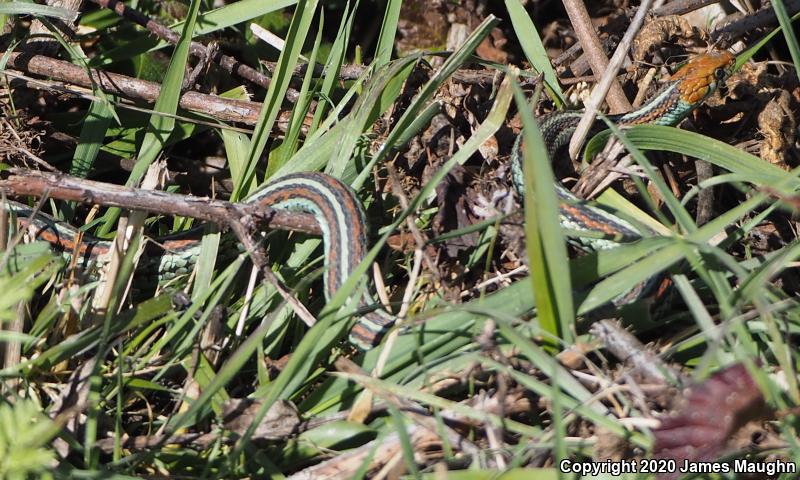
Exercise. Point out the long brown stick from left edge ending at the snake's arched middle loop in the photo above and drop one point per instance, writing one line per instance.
(20, 182)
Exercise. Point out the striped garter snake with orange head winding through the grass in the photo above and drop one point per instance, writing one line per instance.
(341, 215)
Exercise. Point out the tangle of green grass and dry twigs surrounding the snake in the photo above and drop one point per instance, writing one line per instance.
(216, 374)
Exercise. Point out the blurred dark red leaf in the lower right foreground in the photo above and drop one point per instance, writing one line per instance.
(713, 411)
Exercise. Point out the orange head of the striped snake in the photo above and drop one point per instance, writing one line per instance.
(700, 76)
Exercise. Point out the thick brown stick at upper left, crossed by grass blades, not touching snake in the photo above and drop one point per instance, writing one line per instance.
(220, 108)
